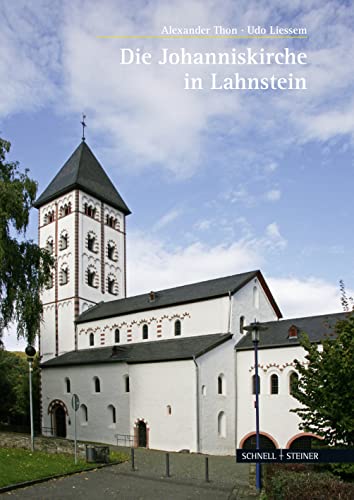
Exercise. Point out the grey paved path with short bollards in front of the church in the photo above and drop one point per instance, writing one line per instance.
(228, 480)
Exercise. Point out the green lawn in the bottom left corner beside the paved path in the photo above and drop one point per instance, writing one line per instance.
(17, 465)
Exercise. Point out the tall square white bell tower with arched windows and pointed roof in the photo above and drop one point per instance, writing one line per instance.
(81, 221)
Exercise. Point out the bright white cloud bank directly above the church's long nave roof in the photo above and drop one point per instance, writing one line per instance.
(153, 266)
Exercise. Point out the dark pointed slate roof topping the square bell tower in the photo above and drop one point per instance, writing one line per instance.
(83, 171)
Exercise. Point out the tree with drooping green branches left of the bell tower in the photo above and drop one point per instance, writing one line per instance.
(24, 267)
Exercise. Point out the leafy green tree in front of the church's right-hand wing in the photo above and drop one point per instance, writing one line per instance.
(325, 388)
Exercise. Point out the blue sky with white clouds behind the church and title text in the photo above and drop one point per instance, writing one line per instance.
(218, 181)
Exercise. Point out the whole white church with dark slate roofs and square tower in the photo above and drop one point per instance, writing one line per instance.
(170, 369)
